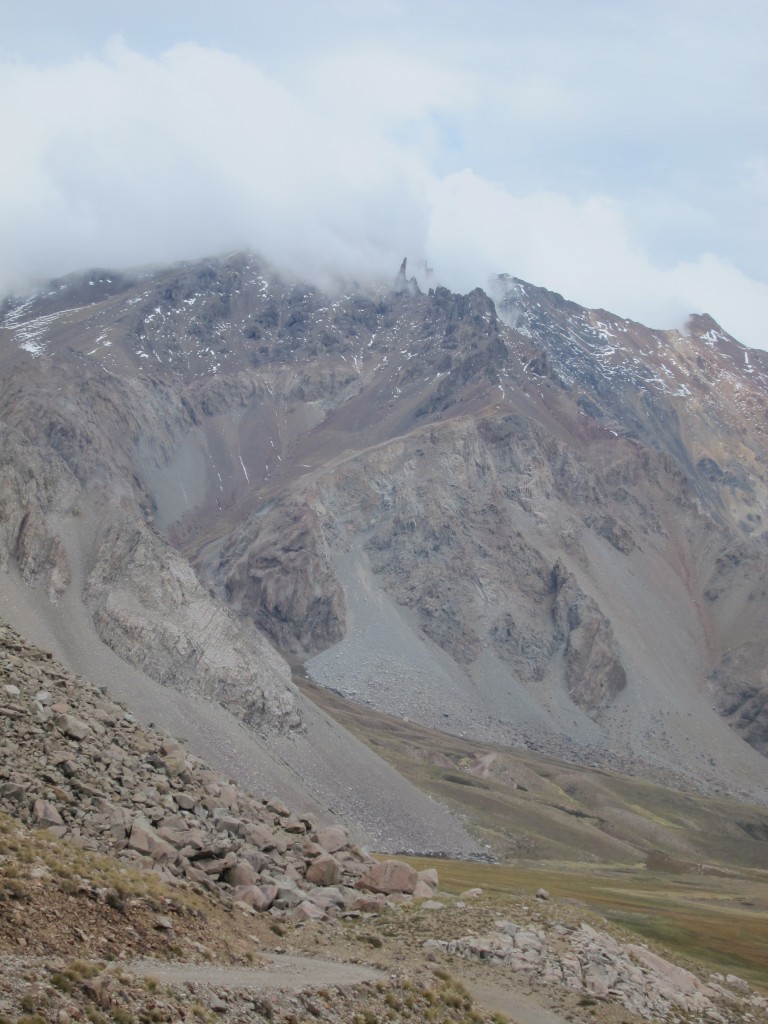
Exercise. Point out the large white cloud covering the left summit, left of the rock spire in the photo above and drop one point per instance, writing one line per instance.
(130, 159)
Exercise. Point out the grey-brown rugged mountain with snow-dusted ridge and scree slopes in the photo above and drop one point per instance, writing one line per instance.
(499, 515)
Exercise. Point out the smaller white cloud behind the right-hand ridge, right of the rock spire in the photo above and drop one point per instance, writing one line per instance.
(586, 251)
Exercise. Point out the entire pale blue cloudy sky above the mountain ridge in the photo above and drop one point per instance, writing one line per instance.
(615, 152)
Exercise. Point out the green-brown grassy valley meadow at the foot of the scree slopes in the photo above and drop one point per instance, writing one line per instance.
(677, 869)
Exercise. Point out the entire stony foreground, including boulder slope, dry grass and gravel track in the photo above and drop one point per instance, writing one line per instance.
(139, 885)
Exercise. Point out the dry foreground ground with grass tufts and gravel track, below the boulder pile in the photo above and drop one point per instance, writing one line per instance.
(70, 950)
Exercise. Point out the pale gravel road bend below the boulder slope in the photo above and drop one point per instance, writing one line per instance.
(286, 973)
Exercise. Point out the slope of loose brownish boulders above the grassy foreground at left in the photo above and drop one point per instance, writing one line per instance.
(79, 765)
